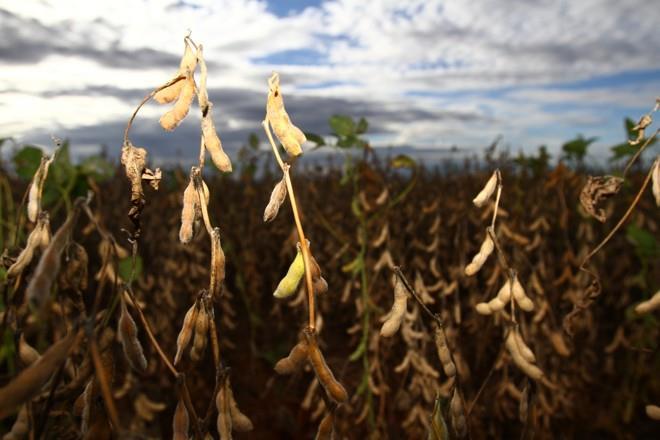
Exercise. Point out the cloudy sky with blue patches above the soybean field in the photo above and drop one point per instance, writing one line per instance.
(428, 75)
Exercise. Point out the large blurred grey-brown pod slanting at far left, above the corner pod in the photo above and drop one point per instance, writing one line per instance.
(38, 290)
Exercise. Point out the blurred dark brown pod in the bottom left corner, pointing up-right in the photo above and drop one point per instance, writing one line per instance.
(29, 381)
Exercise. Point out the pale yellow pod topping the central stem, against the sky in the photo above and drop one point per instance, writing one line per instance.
(288, 134)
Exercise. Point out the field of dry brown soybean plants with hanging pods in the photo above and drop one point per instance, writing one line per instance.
(475, 303)
